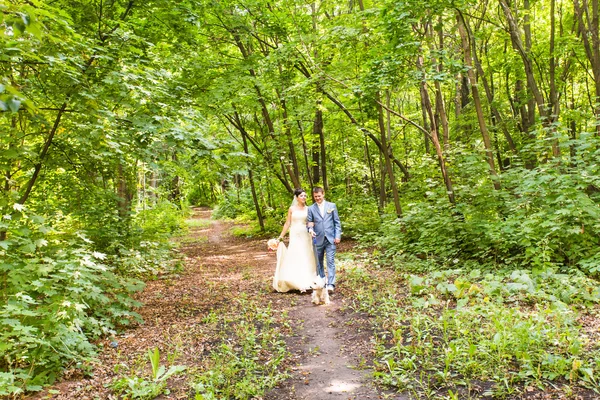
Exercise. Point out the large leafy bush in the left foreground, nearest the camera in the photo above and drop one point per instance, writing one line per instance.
(57, 293)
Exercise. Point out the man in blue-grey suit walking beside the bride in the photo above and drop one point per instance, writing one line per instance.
(324, 224)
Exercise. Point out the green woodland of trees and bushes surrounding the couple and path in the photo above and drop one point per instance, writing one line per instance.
(449, 133)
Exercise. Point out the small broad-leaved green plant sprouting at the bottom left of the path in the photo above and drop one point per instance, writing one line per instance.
(135, 387)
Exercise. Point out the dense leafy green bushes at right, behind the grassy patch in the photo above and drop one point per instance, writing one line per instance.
(542, 217)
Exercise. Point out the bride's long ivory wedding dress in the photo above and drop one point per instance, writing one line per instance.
(296, 265)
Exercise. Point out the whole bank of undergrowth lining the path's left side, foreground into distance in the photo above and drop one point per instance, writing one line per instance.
(61, 288)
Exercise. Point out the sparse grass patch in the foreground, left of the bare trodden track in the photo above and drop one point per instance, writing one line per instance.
(247, 360)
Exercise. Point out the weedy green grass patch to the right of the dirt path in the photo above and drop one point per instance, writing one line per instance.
(456, 334)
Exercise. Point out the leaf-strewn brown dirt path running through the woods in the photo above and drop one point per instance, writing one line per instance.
(331, 346)
